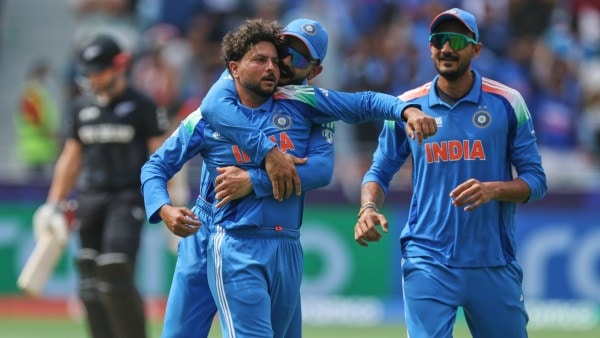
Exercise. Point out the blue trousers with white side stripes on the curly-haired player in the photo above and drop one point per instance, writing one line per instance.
(255, 275)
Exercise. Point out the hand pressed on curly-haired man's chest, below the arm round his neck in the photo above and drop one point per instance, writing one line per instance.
(281, 169)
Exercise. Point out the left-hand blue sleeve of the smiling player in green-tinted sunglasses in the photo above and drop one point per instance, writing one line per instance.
(392, 151)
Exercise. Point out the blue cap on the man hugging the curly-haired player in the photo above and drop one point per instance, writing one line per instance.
(312, 33)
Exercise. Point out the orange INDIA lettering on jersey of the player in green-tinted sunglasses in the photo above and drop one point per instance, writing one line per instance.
(454, 150)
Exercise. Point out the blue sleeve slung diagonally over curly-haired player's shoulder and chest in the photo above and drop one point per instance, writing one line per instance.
(220, 109)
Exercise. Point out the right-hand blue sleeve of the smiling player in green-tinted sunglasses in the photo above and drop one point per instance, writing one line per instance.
(523, 150)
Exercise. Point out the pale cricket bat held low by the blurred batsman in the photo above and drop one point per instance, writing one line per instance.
(41, 264)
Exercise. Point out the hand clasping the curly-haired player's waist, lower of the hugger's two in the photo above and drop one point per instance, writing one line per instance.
(232, 183)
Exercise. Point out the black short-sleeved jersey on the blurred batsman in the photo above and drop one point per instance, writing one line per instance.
(115, 139)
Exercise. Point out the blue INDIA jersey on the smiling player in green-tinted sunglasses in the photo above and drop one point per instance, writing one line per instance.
(482, 136)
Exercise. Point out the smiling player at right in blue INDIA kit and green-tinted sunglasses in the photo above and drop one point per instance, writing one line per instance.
(458, 245)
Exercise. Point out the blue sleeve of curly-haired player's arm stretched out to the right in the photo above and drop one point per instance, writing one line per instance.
(352, 108)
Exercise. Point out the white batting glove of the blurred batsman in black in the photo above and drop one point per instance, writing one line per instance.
(50, 216)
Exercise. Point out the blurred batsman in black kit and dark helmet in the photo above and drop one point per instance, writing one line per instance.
(112, 129)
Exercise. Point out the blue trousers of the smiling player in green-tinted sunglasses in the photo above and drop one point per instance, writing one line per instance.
(491, 297)
